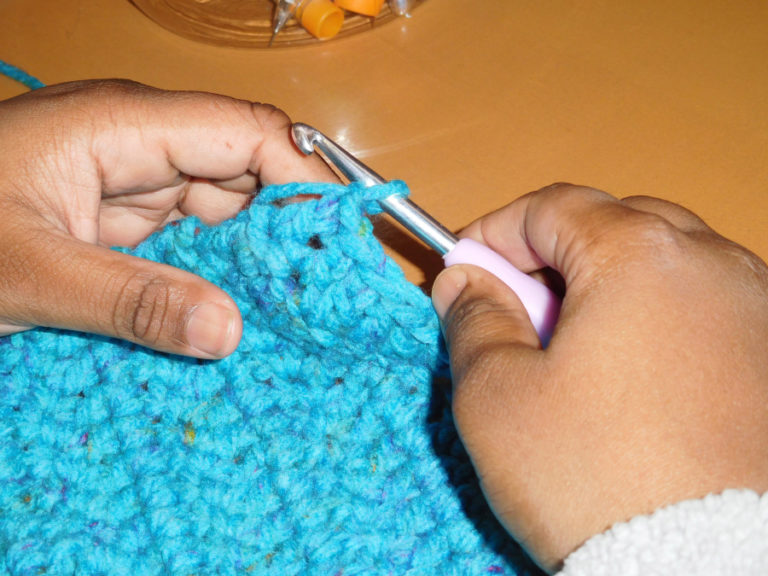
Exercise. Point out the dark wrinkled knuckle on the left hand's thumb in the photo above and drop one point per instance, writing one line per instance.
(144, 310)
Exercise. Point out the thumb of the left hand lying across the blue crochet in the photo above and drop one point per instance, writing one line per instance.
(75, 285)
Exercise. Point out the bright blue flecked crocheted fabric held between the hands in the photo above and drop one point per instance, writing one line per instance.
(324, 445)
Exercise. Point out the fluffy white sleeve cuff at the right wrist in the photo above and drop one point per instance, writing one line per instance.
(720, 535)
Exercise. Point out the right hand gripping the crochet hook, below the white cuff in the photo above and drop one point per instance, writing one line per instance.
(654, 388)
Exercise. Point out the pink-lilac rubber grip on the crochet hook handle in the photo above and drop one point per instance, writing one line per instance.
(542, 305)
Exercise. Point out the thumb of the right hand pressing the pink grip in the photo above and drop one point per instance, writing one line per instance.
(496, 362)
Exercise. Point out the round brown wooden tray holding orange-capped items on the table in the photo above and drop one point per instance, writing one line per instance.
(244, 22)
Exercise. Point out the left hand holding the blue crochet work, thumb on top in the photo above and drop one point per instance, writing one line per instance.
(88, 165)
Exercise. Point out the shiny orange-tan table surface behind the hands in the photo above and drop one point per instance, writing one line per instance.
(476, 103)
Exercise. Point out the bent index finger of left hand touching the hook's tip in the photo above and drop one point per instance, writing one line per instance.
(201, 135)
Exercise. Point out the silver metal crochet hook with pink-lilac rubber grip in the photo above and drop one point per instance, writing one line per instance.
(542, 305)
